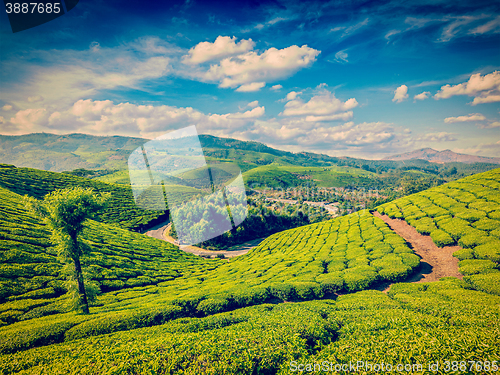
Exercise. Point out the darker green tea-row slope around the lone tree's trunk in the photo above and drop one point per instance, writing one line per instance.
(31, 283)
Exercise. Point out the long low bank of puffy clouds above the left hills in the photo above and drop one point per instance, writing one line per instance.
(103, 117)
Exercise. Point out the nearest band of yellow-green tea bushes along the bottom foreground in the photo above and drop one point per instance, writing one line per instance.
(415, 324)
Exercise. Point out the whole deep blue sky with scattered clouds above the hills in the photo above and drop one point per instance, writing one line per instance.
(359, 78)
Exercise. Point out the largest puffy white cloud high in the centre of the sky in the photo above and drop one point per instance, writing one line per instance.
(251, 69)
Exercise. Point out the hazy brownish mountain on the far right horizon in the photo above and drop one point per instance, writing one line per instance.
(446, 156)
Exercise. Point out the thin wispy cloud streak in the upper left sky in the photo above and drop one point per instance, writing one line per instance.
(64, 76)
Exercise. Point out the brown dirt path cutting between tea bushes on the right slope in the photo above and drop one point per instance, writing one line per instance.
(436, 262)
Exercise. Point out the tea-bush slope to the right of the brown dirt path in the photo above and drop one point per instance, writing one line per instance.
(464, 212)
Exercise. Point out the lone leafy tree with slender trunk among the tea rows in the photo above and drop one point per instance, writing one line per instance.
(65, 212)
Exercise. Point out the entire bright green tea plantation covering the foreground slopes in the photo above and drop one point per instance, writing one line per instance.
(162, 311)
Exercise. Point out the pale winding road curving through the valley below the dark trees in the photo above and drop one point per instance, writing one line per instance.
(161, 230)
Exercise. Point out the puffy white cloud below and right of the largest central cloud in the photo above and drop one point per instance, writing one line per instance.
(324, 104)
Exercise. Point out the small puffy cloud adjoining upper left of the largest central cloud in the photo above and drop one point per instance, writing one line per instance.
(223, 46)
